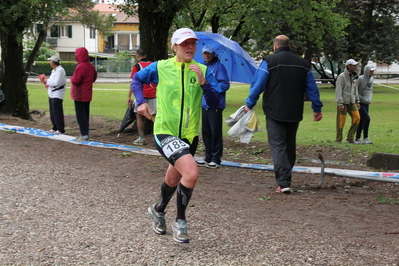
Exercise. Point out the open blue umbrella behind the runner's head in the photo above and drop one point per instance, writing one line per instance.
(239, 65)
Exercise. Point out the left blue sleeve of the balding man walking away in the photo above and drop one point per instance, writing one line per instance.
(258, 85)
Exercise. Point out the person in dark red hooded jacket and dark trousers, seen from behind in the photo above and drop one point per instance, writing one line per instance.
(82, 90)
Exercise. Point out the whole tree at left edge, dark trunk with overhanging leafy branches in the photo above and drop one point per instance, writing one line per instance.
(17, 18)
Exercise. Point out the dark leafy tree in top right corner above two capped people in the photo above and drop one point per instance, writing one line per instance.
(373, 33)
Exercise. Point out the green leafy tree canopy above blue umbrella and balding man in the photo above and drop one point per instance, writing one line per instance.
(254, 23)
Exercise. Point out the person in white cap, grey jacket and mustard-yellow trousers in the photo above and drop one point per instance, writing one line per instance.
(347, 99)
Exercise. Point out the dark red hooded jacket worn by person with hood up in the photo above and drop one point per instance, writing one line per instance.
(83, 77)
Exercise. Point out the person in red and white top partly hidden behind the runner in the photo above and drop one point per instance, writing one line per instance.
(149, 92)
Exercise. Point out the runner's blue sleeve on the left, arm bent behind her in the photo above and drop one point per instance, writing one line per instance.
(144, 76)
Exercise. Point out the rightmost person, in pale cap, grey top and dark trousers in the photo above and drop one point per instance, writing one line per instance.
(365, 91)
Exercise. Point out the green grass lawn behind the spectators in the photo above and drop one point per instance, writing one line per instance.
(109, 100)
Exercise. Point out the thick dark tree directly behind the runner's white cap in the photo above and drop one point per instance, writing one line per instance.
(156, 17)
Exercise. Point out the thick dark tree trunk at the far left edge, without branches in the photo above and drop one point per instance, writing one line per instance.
(13, 84)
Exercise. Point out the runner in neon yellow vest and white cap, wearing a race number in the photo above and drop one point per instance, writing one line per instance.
(181, 83)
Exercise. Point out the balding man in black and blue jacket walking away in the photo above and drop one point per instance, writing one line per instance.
(284, 78)
